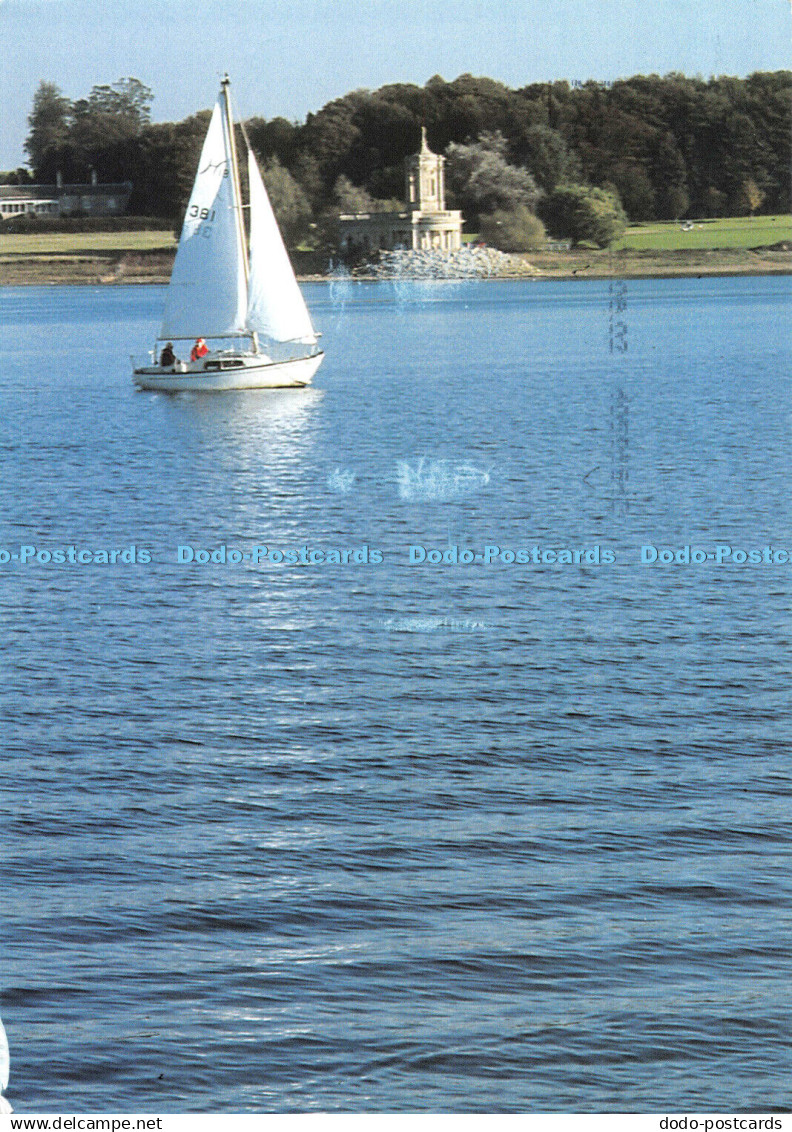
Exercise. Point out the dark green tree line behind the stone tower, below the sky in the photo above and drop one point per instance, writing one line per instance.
(642, 149)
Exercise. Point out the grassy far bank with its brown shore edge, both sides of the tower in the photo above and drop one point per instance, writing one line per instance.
(737, 246)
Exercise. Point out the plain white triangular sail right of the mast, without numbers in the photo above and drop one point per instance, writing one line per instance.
(276, 305)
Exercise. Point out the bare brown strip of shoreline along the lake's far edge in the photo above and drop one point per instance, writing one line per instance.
(154, 268)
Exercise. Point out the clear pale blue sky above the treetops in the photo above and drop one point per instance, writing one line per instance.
(290, 57)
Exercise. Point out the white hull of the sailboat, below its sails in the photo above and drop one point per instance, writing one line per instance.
(243, 372)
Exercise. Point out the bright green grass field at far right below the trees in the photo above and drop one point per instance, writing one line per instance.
(729, 233)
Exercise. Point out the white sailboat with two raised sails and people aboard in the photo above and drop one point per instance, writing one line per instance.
(240, 295)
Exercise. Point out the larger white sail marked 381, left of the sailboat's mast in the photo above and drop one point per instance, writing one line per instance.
(208, 296)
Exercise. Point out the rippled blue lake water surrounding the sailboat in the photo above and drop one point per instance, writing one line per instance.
(489, 836)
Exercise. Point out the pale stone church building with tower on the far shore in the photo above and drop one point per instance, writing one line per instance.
(426, 225)
